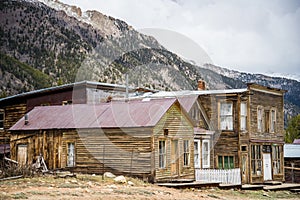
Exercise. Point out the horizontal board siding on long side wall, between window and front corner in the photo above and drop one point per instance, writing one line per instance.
(123, 151)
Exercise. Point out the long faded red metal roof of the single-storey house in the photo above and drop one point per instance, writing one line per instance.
(115, 114)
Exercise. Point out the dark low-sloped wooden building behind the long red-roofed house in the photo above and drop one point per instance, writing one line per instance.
(12, 108)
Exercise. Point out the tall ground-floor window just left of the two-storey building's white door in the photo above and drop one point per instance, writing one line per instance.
(256, 160)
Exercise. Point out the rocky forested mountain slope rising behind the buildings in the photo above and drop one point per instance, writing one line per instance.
(47, 43)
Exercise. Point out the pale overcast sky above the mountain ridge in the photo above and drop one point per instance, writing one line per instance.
(253, 36)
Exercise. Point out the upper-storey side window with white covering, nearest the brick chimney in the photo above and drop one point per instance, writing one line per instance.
(226, 119)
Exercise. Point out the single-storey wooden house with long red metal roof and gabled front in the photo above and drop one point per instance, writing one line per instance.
(152, 139)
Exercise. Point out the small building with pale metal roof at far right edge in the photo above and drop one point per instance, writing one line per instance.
(292, 162)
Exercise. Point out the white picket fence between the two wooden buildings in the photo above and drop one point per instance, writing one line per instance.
(225, 176)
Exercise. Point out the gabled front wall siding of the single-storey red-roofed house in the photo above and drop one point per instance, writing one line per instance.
(180, 129)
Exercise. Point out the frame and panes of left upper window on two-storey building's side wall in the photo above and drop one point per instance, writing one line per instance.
(223, 117)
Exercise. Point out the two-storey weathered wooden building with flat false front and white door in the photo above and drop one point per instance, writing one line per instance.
(242, 128)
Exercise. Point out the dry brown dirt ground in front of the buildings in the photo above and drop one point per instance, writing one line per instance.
(87, 187)
